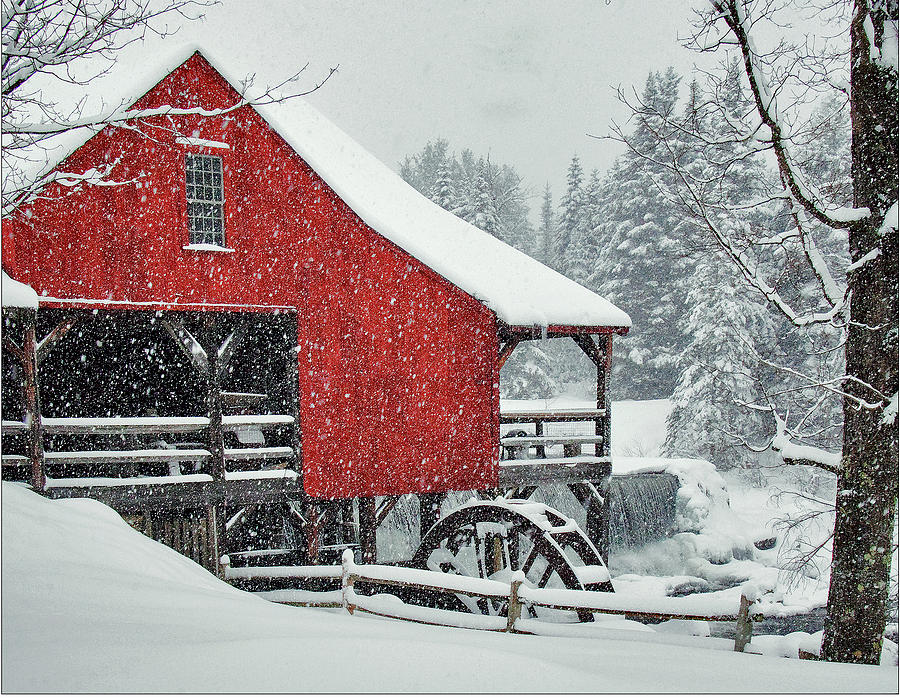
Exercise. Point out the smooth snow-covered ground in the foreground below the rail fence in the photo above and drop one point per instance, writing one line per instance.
(91, 605)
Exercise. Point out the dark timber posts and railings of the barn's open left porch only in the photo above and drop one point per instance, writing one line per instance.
(186, 514)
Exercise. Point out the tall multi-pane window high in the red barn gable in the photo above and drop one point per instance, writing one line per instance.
(206, 199)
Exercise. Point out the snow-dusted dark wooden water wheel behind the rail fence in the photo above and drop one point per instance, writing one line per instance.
(491, 540)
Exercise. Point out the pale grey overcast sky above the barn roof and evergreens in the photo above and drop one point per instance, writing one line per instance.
(525, 80)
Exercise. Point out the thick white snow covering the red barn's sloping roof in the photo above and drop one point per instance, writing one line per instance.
(519, 289)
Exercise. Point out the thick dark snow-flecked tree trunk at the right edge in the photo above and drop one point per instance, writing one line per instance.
(867, 483)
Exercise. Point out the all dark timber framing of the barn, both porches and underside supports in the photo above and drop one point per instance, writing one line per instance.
(195, 509)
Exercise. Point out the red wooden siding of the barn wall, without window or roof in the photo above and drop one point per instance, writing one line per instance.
(397, 366)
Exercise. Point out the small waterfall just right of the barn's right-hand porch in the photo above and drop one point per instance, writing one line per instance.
(641, 508)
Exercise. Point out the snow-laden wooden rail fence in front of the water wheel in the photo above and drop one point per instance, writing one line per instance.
(514, 593)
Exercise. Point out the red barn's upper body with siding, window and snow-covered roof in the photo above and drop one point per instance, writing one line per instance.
(403, 312)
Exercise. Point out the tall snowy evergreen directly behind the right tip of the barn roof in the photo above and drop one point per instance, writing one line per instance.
(641, 265)
